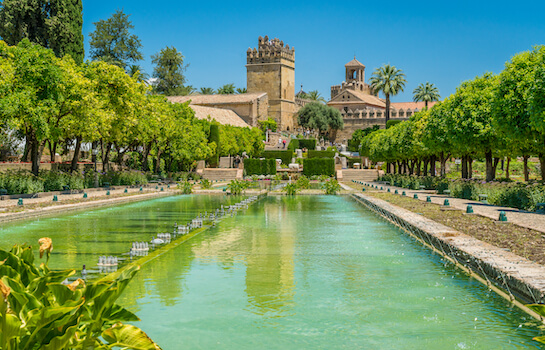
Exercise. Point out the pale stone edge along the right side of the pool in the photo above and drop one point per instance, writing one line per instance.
(511, 276)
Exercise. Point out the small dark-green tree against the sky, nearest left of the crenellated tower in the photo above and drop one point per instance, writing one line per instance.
(169, 72)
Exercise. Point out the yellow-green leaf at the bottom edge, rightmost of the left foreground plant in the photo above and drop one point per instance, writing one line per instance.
(128, 336)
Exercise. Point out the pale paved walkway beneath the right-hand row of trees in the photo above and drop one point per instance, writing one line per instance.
(515, 216)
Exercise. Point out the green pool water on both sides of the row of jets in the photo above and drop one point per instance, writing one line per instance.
(310, 272)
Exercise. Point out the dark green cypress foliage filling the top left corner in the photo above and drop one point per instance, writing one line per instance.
(55, 24)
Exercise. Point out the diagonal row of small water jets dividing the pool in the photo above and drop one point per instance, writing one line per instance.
(109, 264)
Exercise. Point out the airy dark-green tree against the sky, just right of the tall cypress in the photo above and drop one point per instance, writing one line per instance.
(112, 42)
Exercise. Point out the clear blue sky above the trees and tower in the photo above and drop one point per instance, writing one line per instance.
(444, 43)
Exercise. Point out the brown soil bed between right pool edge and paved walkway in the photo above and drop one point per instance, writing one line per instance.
(521, 241)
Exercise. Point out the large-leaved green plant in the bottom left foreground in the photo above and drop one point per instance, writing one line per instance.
(37, 311)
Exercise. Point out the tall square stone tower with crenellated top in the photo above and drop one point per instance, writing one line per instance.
(271, 69)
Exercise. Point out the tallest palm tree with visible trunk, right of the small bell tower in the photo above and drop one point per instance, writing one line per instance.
(390, 81)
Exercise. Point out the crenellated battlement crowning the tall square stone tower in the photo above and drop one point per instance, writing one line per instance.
(270, 51)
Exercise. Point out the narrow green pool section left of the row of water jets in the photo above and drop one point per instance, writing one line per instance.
(82, 237)
